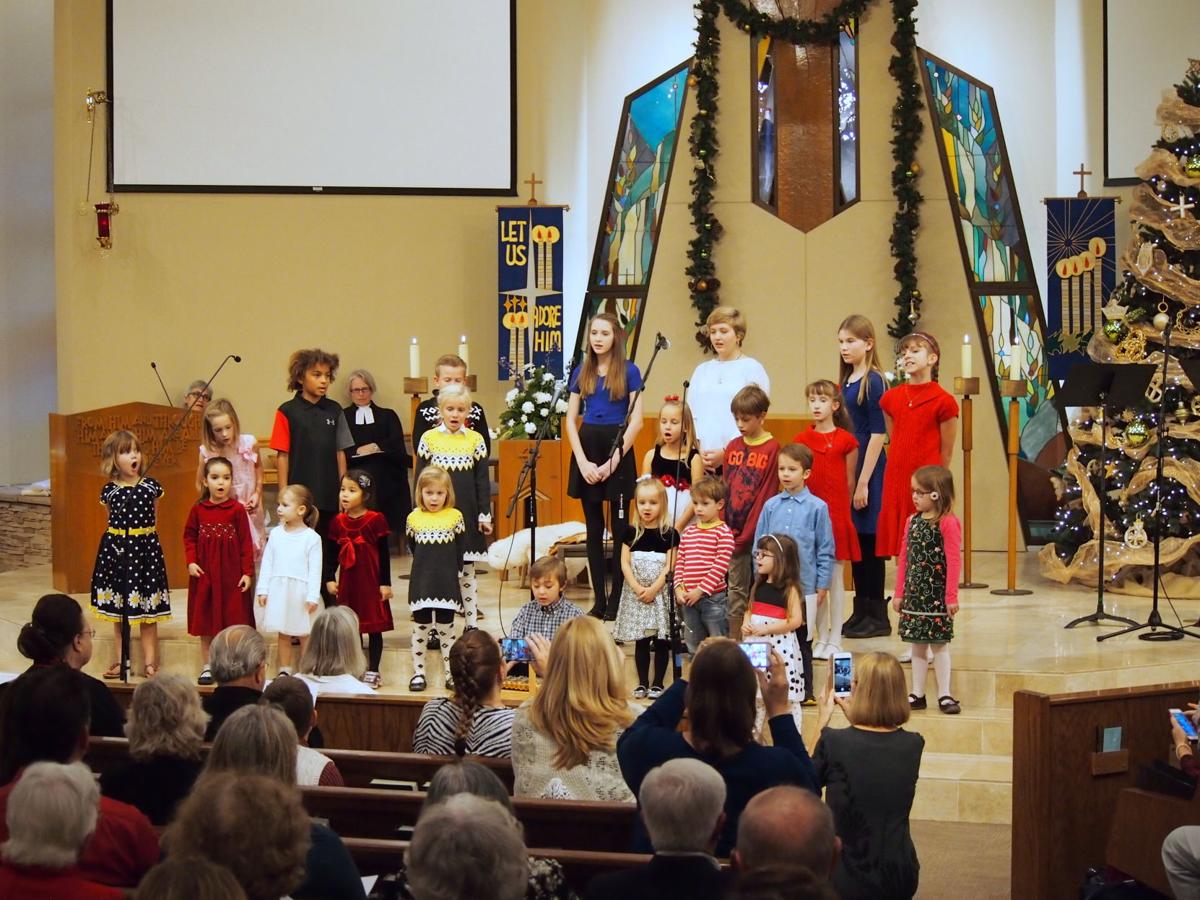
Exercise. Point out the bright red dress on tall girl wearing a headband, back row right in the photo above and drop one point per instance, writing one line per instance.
(917, 415)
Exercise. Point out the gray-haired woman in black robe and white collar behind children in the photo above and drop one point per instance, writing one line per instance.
(380, 449)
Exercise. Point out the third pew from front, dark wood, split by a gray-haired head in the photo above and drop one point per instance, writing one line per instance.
(373, 813)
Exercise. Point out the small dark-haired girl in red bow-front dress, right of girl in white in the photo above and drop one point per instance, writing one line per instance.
(364, 565)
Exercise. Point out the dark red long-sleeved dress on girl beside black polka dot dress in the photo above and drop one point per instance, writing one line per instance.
(218, 538)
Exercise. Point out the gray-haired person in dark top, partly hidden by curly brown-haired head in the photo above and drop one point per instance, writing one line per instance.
(261, 741)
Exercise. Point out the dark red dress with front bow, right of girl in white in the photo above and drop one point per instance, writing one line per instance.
(362, 545)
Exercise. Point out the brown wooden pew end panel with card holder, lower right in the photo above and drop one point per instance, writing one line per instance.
(1065, 794)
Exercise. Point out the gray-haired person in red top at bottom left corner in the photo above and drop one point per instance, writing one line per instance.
(51, 817)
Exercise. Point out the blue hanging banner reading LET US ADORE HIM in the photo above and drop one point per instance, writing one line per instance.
(531, 289)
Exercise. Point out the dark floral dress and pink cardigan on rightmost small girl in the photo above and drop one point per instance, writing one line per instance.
(928, 579)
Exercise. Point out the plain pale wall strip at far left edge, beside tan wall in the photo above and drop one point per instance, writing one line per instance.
(27, 239)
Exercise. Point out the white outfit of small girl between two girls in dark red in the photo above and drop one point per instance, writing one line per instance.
(291, 579)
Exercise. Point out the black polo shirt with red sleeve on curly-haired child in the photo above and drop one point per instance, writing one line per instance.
(311, 435)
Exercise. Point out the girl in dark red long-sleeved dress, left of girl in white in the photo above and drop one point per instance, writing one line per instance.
(220, 561)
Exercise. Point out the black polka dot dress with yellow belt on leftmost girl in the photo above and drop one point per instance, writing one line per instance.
(130, 567)
